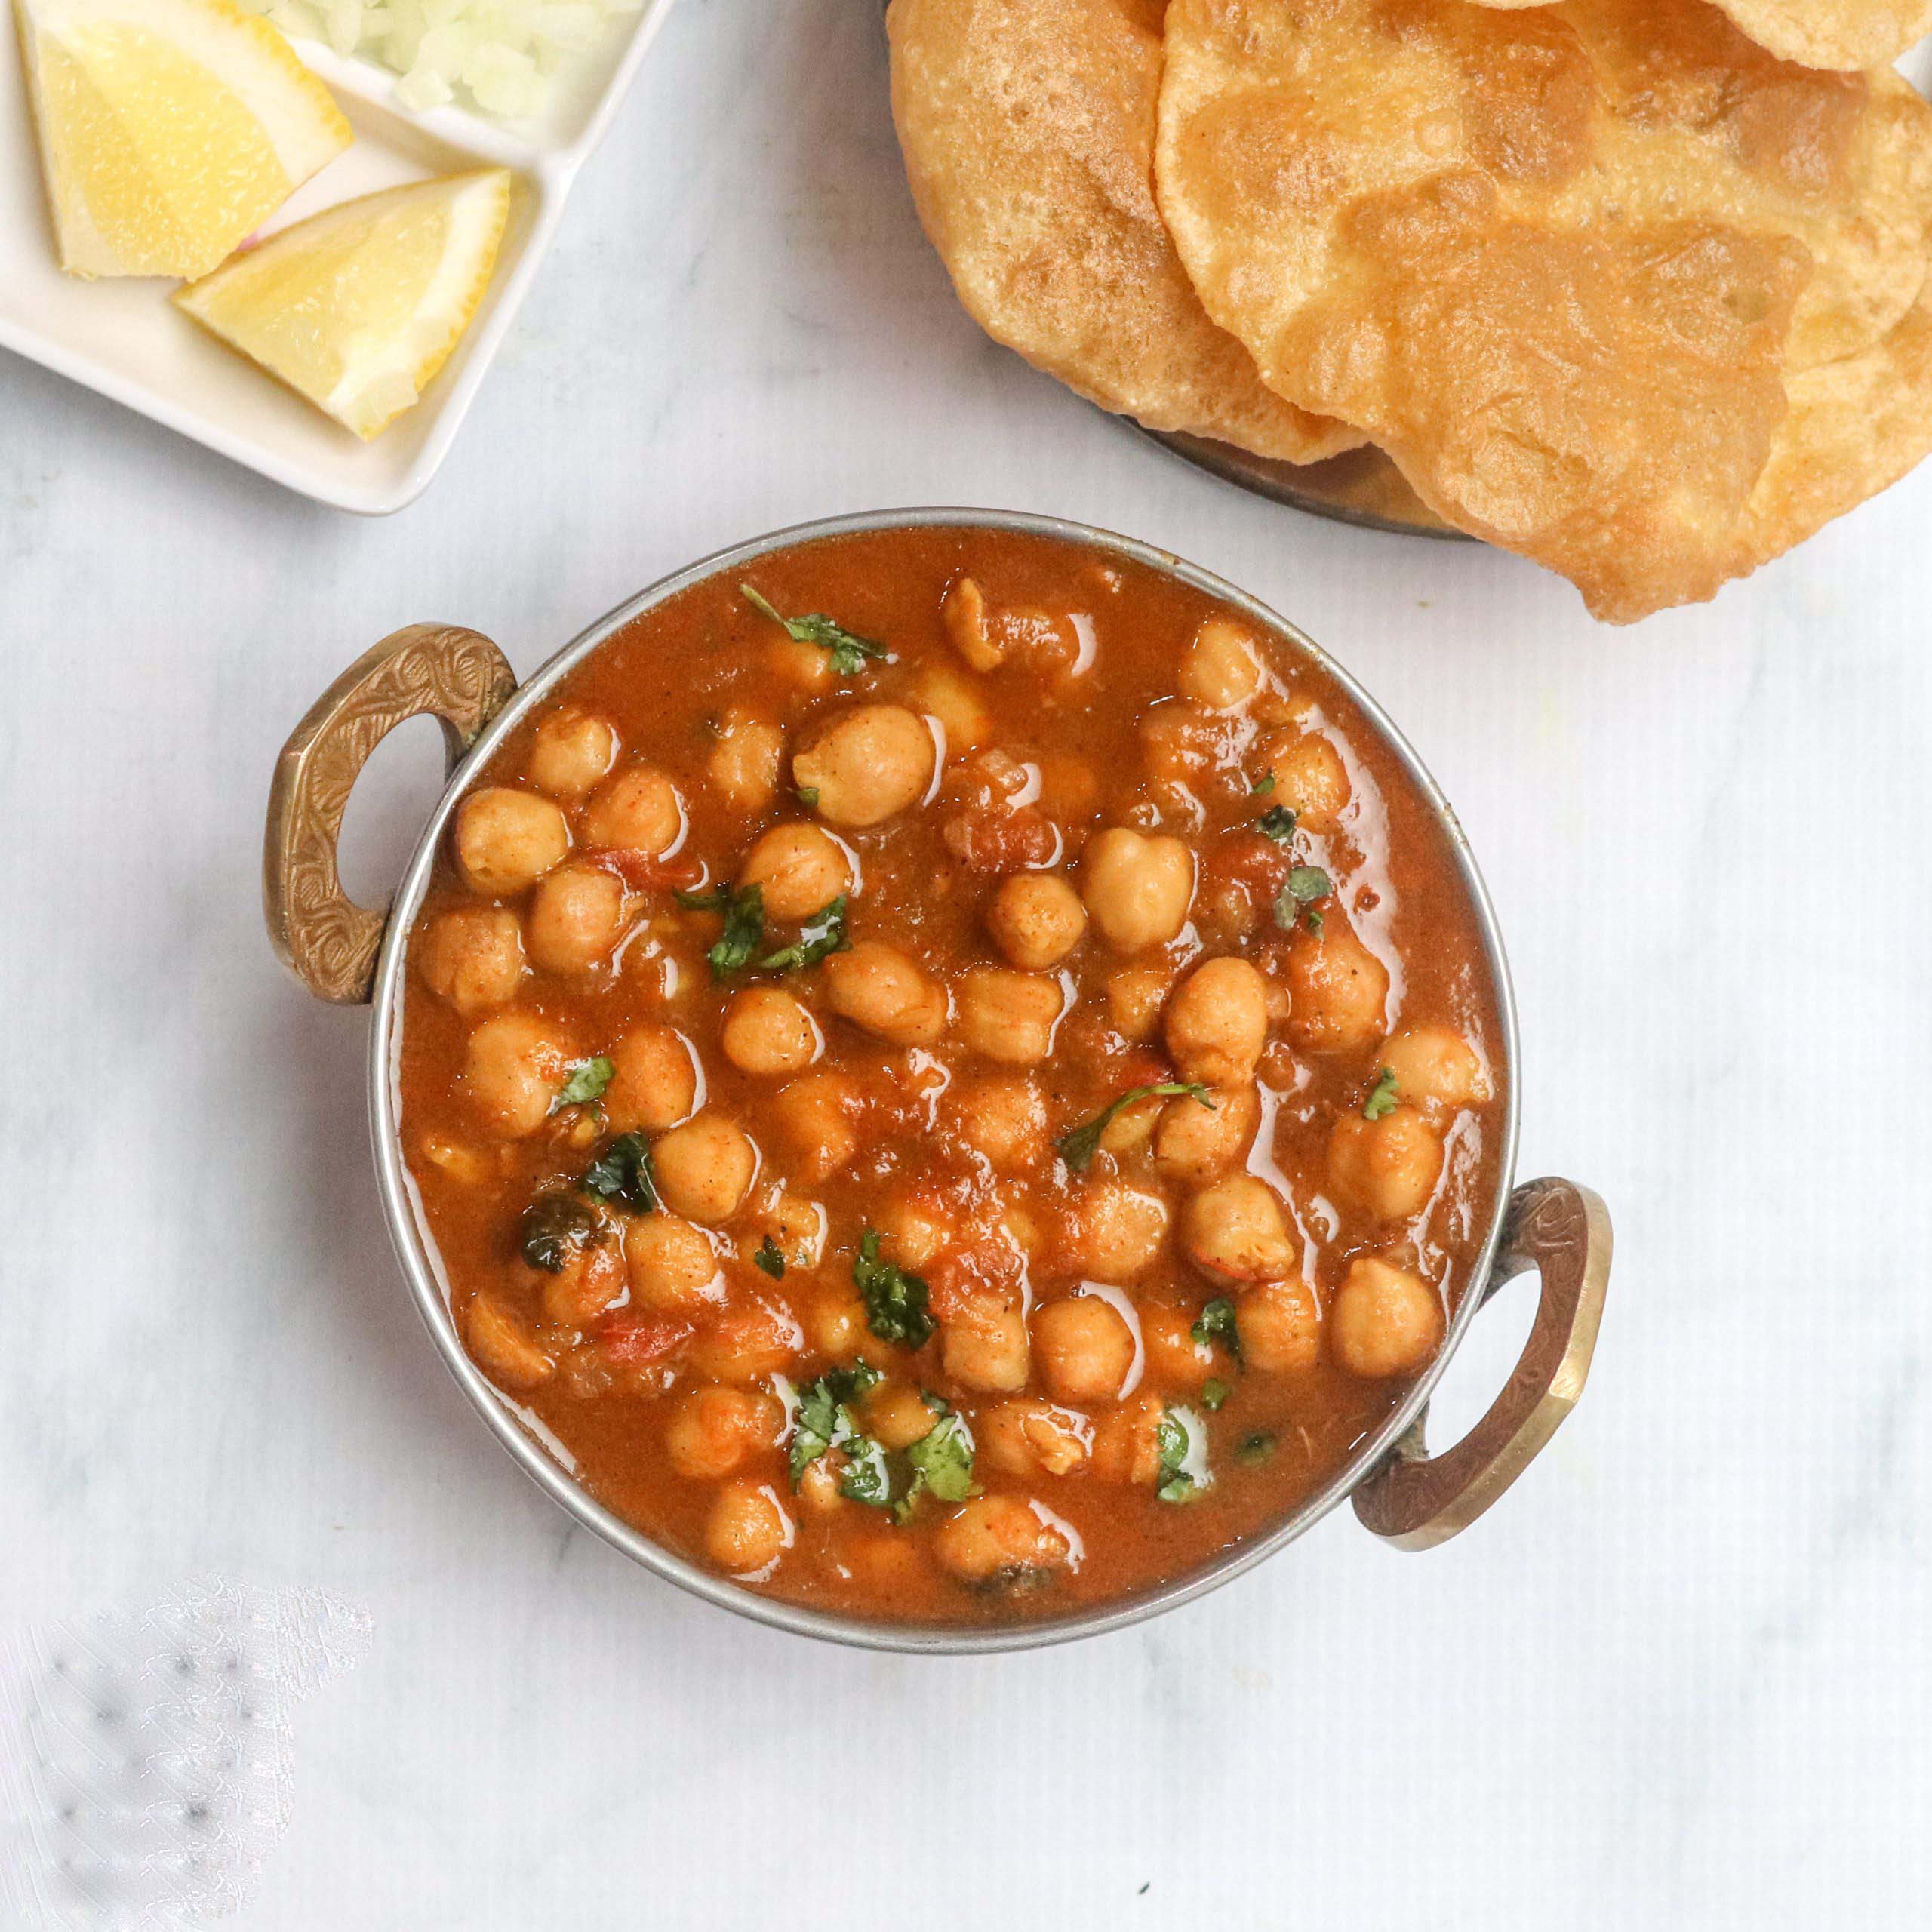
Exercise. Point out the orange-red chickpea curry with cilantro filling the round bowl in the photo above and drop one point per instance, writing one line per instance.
(955, 1075)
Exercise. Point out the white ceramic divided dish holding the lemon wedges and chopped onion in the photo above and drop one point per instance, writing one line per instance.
(130, 343)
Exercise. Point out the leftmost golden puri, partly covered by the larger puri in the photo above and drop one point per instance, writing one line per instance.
(1029, 138)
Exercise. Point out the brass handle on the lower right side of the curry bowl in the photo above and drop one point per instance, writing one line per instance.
(1417, 1500)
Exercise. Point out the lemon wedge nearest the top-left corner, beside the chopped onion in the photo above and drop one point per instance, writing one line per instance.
(169, 128)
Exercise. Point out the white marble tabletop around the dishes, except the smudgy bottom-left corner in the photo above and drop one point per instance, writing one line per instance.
(1680, 1678)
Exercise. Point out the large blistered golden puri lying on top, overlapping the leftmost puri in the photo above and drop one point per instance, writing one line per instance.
(1614, 287)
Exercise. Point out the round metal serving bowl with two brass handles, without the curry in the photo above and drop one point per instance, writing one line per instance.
(351, 953)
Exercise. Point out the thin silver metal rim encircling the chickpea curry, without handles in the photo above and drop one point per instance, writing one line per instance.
(525, 1436)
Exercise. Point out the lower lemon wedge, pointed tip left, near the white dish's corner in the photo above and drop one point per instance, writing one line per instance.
(360, 306)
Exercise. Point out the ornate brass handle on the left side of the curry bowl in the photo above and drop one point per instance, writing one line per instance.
(320, 932)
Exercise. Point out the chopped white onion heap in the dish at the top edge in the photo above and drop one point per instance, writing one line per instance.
(501, 53)
